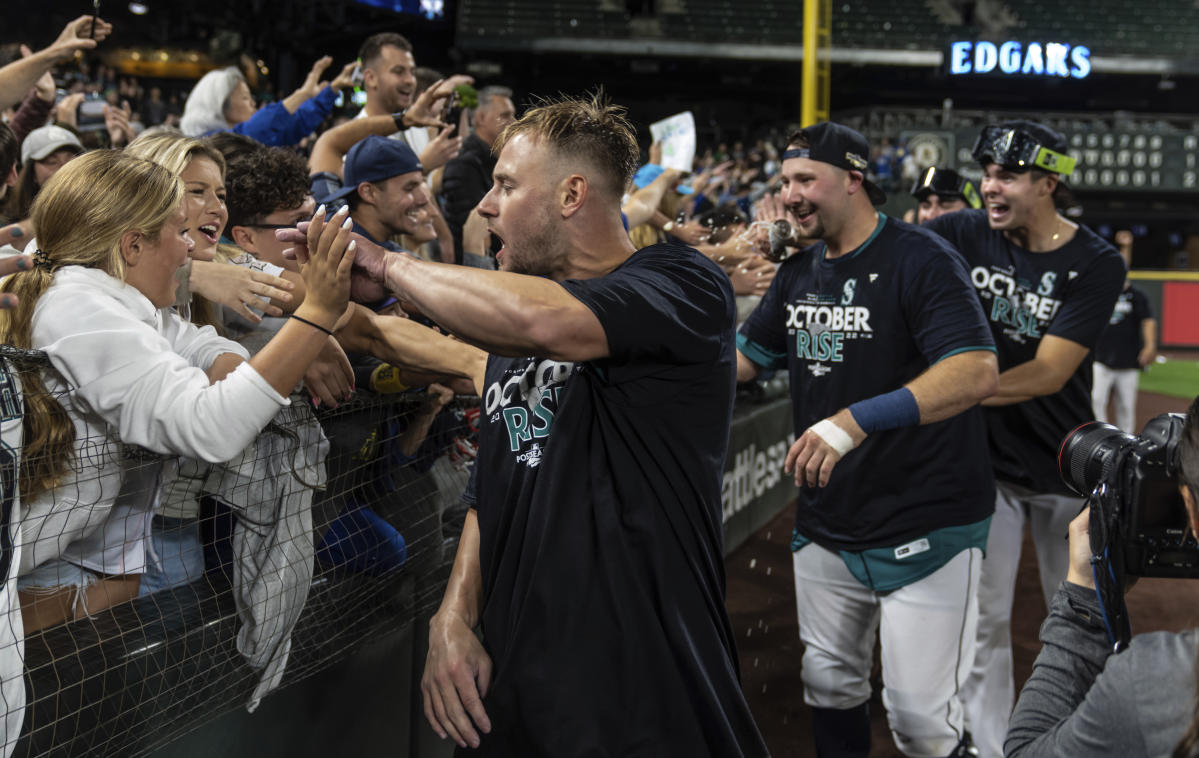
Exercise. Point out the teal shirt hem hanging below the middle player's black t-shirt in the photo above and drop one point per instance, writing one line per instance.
(888, 569)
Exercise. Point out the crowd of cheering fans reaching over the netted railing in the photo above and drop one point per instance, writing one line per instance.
(148, 257)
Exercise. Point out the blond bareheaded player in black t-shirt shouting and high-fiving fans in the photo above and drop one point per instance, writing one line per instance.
(594, 558)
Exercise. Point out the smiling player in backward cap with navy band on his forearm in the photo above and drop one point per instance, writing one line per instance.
(889, 356)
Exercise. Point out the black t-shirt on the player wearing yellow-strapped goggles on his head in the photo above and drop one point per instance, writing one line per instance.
(1068, 293)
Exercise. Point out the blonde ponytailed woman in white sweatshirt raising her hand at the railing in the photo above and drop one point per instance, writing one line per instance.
(128, 371)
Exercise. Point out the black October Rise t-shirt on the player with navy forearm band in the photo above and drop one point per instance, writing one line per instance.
(861, 326)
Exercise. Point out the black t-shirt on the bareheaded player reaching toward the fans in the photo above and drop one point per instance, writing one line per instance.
(599, 500)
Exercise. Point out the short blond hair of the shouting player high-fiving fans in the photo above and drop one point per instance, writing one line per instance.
(591, 129)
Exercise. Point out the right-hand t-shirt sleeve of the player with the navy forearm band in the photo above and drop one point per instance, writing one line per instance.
(943, 311)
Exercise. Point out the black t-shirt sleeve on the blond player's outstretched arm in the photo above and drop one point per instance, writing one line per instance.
(664, 308)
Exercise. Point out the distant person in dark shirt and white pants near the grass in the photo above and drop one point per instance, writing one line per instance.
(1126, 347)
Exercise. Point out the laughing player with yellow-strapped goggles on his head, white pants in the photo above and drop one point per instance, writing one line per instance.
(1049, 287)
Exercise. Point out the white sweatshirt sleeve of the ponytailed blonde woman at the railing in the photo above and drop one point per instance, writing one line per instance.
(134, 378)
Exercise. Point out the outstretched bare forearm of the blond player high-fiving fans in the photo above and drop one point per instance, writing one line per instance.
(503, 314)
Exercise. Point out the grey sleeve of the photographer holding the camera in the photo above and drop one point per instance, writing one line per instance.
(1079, 701)
